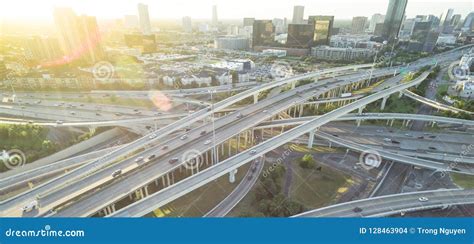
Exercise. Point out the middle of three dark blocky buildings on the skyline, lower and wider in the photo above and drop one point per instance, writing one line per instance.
(300, 35)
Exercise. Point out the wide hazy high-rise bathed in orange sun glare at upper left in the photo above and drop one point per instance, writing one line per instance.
(79, 36)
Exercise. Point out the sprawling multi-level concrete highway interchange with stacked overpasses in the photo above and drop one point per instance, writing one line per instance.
(90, 187)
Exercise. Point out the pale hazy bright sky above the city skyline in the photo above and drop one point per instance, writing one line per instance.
(227, 9)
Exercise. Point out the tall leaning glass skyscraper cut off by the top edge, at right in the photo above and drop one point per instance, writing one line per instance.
(393, 19)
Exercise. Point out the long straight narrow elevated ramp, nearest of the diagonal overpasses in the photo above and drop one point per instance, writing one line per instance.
(183, 187)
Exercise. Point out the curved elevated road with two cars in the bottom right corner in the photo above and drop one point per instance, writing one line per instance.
(395, 204)
